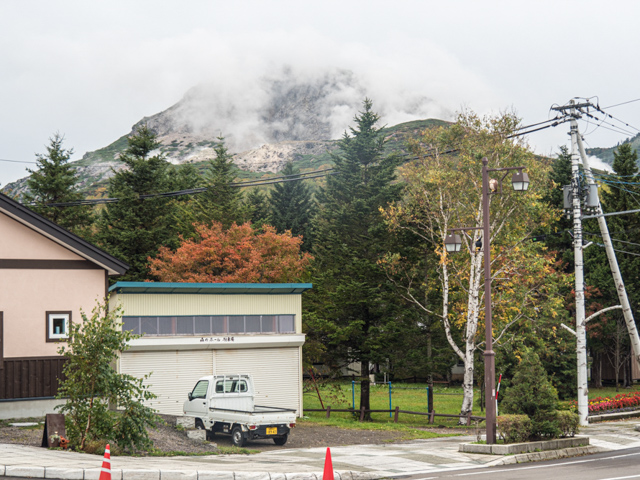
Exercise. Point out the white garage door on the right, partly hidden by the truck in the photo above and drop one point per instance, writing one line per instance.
(276, 373)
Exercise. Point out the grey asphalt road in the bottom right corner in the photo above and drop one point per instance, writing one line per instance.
(618, 465)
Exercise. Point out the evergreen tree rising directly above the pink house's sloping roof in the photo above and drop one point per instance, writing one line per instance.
(55, 182)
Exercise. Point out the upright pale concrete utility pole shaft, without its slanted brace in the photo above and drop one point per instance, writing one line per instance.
(581, 334)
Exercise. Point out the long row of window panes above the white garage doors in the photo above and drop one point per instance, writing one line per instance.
(209, 324)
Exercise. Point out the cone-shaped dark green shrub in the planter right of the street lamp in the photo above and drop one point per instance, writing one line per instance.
(532, 394)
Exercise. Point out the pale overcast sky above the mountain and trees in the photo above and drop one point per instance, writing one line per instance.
(90, 70)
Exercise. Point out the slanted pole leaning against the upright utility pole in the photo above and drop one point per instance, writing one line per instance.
(613, 263)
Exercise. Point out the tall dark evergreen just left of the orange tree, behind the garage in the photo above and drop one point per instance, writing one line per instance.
(134, 228)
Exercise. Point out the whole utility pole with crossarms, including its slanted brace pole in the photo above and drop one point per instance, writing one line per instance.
(577, 153)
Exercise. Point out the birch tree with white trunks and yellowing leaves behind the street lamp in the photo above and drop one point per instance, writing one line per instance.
(444, 191)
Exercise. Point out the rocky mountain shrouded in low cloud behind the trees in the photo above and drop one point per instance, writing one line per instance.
(283, 118)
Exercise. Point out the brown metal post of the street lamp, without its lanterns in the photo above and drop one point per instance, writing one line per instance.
(489, 355)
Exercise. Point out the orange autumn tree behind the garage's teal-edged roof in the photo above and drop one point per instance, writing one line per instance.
(238, 254)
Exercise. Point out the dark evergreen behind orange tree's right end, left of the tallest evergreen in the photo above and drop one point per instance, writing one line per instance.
(291, 206)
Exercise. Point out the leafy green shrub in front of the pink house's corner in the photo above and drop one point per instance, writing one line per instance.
(92, 386)
